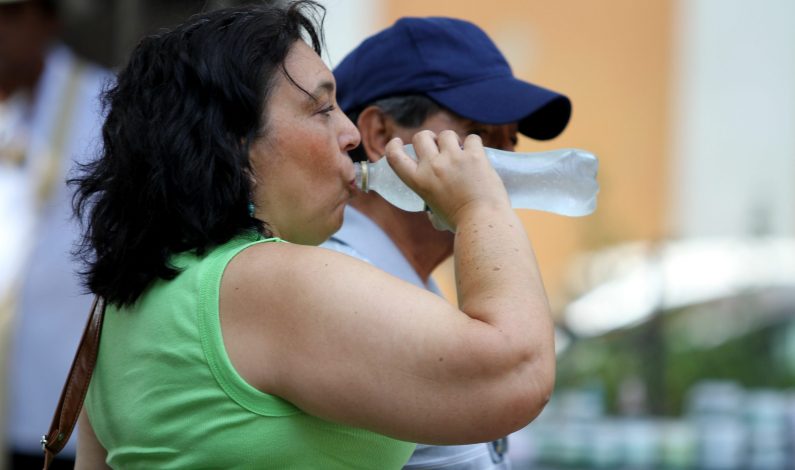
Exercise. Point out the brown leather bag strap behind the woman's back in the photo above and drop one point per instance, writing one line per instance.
(76, 386)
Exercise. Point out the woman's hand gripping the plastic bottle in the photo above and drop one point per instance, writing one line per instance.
(448, 176)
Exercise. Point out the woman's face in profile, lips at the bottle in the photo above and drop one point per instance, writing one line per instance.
(303, 174)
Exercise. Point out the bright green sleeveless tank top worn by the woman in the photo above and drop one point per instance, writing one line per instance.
(165, 395)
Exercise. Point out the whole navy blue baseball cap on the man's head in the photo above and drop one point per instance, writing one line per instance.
(454, 63)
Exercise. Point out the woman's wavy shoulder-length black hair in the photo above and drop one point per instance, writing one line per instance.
(174, 172)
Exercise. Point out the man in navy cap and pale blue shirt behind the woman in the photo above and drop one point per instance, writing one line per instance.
(434, 74)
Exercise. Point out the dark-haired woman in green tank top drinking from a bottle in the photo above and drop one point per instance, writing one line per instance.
(231, 341)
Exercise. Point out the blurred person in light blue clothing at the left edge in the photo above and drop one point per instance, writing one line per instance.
(49, 119)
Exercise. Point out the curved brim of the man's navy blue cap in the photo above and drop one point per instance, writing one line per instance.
(540, 113)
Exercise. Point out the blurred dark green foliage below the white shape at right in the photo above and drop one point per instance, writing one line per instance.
(734, 340)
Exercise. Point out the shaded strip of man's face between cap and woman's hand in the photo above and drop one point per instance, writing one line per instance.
(503, 136)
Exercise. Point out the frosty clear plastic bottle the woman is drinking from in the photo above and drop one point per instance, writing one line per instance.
(558, 181)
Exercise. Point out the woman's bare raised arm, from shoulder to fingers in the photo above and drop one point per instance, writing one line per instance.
(350, 343)
